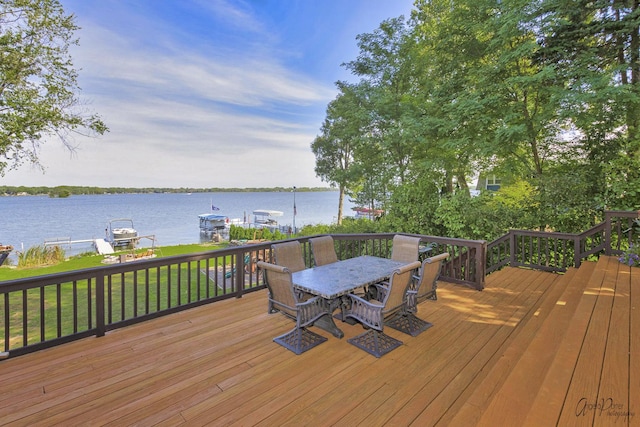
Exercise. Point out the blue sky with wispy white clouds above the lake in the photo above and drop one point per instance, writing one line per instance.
(206, 93)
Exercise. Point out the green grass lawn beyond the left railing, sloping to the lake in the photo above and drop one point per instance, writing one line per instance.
(58, 310)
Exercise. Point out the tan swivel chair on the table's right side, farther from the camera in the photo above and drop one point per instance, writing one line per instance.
(423, 287)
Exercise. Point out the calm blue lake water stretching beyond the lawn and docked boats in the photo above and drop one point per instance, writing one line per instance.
(171, 217)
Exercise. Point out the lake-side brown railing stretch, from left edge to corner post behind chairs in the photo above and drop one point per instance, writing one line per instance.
(40, 312)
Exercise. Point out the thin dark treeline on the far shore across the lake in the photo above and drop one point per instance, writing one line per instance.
(69, 190)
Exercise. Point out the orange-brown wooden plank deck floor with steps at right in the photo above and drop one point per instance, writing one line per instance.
(533, 348)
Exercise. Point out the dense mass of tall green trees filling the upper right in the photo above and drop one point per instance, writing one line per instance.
(545, 95)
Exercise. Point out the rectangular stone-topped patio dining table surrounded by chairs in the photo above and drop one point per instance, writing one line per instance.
(333, 281)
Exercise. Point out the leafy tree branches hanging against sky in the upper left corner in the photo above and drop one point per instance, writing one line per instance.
(38, 83)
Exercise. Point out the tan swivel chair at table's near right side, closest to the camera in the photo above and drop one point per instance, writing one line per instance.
(371, 313)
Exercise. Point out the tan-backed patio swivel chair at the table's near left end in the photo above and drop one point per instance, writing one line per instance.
(282, 298)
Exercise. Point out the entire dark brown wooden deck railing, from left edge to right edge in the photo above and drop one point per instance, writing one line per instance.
(41, 312)
